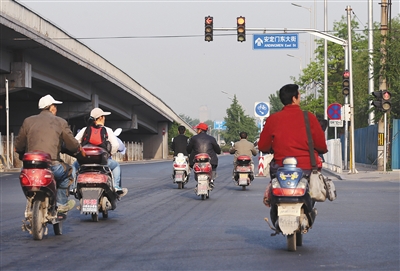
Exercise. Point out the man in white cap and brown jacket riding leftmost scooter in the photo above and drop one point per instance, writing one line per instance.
(46, 132)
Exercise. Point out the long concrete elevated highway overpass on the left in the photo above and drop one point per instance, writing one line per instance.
(38, 58)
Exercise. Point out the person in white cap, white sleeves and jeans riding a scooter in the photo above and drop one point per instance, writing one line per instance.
(97, 118)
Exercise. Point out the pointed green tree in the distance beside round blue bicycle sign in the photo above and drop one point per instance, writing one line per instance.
(236, 122)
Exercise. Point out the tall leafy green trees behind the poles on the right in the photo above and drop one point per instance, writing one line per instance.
(311, 81)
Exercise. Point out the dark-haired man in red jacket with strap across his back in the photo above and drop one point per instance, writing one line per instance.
(285, 133)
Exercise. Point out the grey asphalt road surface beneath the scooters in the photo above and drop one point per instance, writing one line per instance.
(158, 227)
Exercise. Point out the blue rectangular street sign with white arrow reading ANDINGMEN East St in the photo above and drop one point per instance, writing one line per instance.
(276, 41)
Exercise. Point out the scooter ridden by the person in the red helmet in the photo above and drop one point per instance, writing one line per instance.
(202, 174)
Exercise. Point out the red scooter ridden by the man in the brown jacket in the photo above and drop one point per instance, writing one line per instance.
(39, 186)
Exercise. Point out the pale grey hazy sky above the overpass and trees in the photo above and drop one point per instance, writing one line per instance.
(160, 44)
